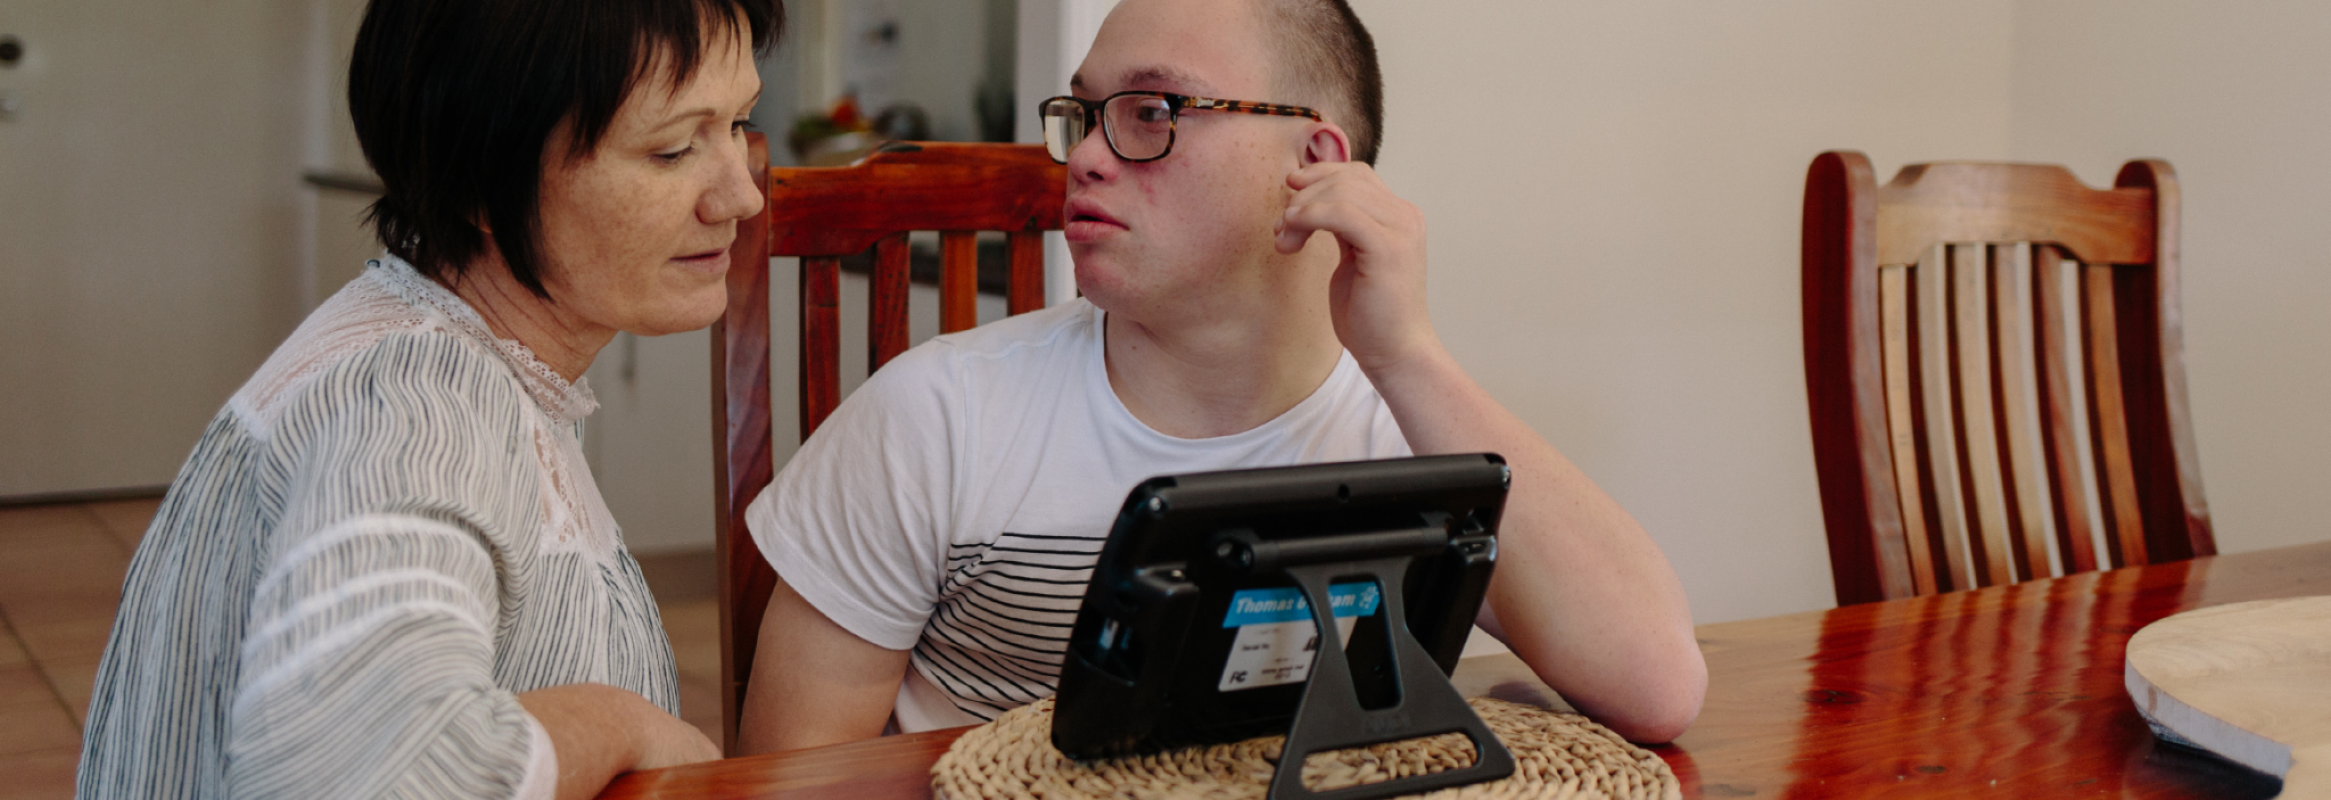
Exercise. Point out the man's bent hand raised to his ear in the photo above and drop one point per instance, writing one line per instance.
(1376, 295)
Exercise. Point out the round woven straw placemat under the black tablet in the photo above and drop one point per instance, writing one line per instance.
(1556, 757)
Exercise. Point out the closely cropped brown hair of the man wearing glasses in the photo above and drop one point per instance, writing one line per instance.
(1328, 59)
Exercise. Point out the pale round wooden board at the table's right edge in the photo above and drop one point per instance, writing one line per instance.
(2248, 682)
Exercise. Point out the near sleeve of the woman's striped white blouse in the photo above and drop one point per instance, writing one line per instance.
(404, 538)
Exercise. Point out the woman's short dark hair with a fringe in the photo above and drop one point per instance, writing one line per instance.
(456, 104)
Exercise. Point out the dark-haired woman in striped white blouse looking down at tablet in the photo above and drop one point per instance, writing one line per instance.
(386, 568)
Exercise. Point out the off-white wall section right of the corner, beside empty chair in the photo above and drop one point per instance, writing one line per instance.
(2239, 101)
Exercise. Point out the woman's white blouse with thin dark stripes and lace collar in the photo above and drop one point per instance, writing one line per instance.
(379, 542)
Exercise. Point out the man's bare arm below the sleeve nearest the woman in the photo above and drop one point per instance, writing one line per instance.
(815, 682)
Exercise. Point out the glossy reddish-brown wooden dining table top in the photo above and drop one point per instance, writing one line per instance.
(2006, 692)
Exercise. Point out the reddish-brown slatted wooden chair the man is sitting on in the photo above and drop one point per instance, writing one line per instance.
(824, 216)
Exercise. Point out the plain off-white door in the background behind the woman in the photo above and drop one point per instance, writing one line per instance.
(148, 227)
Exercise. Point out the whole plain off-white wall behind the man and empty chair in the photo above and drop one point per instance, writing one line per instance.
(1614, 197)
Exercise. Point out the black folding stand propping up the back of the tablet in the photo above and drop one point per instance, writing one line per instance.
(1332, 715)
